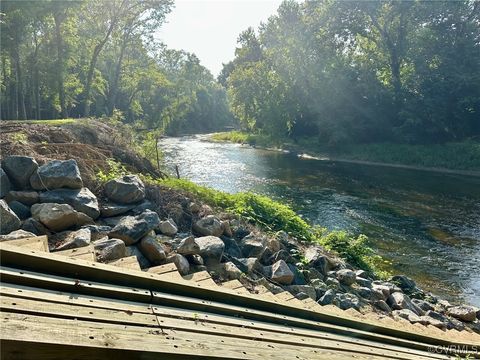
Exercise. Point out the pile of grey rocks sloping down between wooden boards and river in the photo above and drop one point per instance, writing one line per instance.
(51, 200)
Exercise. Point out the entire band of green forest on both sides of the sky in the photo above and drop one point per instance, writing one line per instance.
(337, 71)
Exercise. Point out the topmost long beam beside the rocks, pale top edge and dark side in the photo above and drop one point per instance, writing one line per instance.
(58, 265)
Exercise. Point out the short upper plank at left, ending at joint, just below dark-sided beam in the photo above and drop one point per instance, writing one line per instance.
(30, 278)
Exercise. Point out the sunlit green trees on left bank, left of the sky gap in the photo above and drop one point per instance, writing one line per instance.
(75, 59)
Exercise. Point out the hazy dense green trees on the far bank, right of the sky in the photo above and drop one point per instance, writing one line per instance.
(361, 71)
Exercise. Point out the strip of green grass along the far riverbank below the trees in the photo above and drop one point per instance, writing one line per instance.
(454, 156)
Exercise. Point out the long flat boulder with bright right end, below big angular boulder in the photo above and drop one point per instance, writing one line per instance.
(81, 200)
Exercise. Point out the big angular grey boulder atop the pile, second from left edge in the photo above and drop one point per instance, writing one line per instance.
(57, 174)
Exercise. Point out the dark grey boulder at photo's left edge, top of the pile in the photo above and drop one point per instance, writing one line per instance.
(19, 170)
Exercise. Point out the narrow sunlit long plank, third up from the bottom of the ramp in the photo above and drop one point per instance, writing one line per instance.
(129, 307)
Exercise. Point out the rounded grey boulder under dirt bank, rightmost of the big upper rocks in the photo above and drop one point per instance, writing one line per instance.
(127, 189)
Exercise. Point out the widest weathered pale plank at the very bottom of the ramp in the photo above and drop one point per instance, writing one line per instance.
(163, 342)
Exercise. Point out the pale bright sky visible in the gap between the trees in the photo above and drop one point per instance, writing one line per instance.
(210, 28)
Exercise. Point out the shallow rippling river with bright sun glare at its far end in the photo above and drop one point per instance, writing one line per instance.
(426, 223)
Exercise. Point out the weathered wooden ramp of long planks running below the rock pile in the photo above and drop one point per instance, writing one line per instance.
(58, 307)
